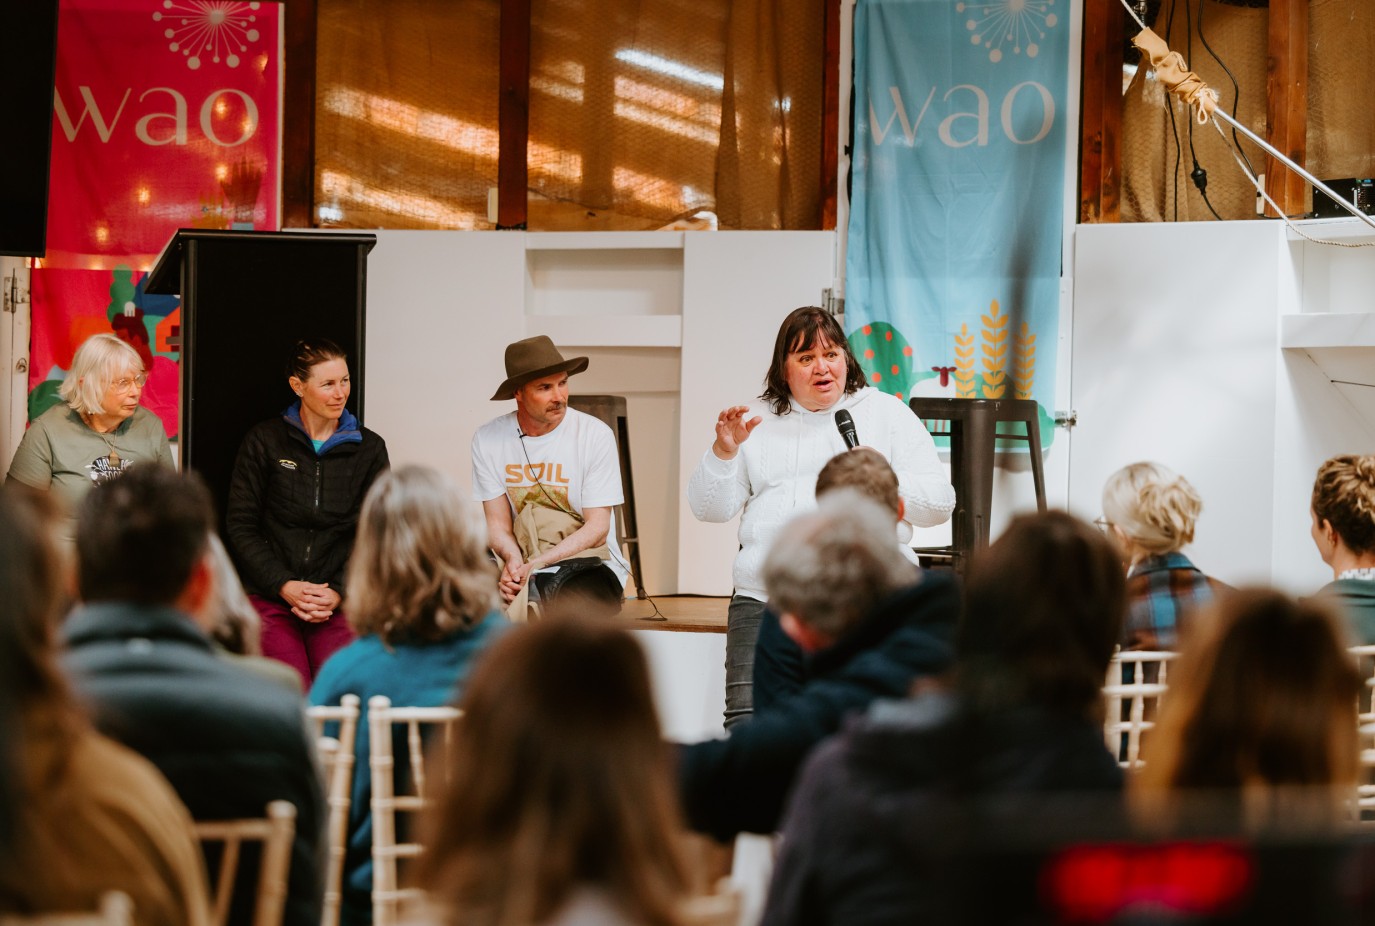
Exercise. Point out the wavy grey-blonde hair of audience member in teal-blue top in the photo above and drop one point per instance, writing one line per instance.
(419, 572)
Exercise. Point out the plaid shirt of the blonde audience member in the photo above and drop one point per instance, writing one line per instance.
(1163, 592)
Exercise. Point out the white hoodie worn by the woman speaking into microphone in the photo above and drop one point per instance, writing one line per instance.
(775, 474)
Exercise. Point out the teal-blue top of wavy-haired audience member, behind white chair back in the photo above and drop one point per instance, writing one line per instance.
(428, 675)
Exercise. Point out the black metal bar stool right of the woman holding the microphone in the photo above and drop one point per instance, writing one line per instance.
(973, 427)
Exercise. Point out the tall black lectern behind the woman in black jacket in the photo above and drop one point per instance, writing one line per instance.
(247, 297)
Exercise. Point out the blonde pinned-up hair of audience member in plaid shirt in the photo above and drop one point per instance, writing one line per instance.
(1153, 506)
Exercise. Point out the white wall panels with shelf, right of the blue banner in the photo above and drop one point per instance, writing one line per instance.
(1179, 358)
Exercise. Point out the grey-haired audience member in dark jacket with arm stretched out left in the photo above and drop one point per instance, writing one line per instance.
(848, 598)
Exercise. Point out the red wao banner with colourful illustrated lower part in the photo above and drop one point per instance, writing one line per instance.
(166, 116)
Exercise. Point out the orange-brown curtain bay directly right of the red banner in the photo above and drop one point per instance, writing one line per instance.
(406, 114)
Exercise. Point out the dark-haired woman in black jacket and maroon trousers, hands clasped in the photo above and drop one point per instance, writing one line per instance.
(299, 484)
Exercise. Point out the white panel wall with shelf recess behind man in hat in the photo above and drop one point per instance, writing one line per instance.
(683, 325)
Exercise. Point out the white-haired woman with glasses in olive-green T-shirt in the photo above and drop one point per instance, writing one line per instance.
(98, 433)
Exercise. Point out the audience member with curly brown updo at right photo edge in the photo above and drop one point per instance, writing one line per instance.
(1344, 530)
